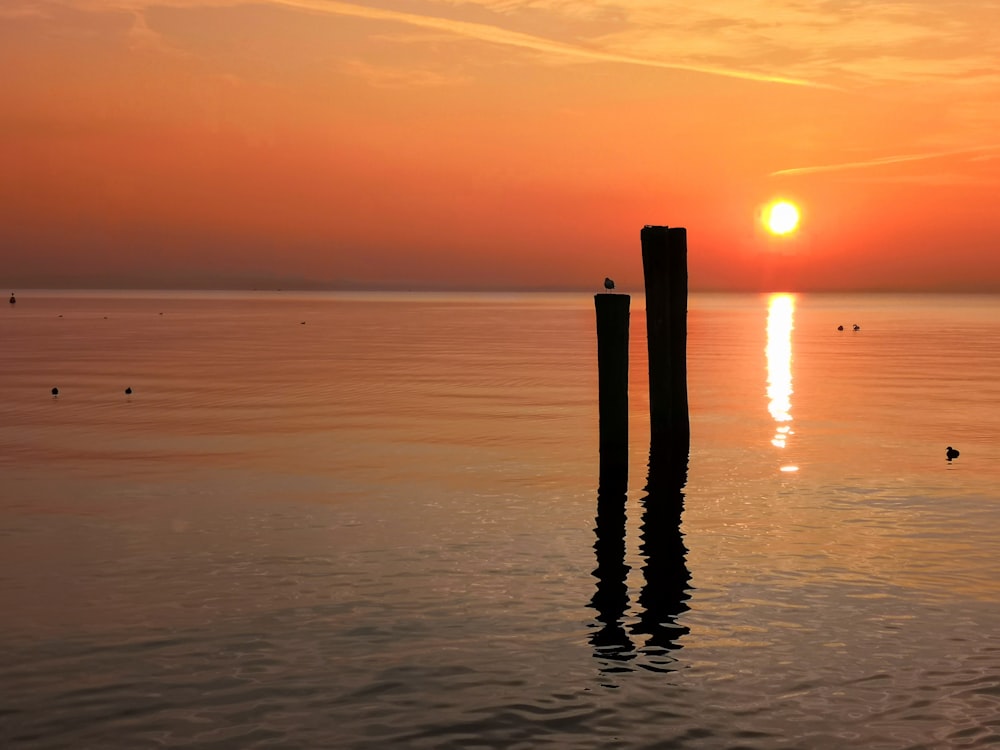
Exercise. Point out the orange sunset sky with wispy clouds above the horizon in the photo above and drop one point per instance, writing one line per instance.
(497, 143)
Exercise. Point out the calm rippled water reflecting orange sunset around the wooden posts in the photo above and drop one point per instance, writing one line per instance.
(371, 521)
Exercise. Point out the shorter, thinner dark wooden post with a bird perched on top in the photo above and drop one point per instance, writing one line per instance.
(612, 371)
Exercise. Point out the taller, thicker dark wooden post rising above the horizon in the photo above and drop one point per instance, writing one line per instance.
(664, 266)
